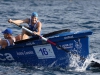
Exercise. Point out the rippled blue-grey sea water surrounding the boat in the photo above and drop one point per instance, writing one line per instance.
(55, 15)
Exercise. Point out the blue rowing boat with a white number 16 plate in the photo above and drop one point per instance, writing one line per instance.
(37, 52)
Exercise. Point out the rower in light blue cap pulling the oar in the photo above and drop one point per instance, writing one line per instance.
(33, 24)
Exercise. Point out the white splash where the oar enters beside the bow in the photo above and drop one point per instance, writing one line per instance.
(79, 66)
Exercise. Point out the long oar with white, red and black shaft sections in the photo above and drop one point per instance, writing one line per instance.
(53, 43)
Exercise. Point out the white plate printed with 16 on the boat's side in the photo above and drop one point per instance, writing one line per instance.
(44, 51)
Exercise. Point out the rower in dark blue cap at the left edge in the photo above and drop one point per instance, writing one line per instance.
(8, 38)
